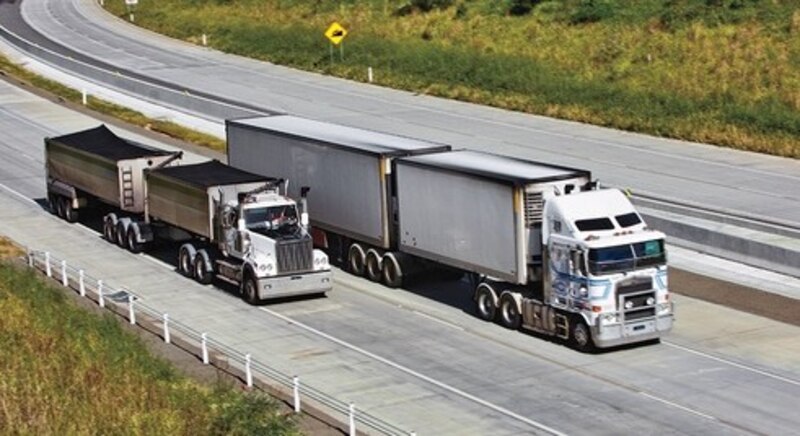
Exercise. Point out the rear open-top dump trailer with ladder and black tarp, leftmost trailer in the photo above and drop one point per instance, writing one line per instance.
(97, 164)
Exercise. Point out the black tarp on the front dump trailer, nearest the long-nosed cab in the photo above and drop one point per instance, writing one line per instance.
(212, 173)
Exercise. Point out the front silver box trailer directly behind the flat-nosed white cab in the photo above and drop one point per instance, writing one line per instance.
(478, 212)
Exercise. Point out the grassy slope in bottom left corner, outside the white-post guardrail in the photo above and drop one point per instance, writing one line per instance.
(67, 371)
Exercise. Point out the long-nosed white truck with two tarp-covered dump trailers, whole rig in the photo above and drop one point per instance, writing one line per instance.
(230, 224)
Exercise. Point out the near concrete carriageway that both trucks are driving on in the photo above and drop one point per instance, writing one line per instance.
(419, 358)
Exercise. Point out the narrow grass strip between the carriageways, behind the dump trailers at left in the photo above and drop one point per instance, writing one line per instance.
(107, 108)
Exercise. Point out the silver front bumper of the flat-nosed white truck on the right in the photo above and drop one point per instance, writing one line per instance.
(631, 332)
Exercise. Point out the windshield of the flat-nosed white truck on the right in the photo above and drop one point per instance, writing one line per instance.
(627, 257)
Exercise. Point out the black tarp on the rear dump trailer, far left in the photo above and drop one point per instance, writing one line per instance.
(103, 142)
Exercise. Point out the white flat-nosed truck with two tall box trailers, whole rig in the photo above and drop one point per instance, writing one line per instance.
(545, 248)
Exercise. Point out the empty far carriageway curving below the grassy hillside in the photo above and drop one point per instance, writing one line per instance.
(747, 183)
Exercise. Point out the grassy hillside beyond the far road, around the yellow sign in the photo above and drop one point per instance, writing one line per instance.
(725, 72)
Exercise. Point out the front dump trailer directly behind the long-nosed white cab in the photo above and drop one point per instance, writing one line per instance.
(187, 196)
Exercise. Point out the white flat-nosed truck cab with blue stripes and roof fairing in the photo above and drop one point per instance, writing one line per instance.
(605, 267)
